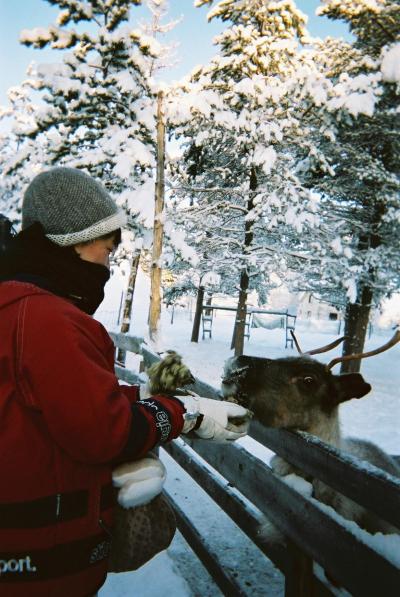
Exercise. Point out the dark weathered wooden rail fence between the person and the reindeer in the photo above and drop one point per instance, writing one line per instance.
(250, 491)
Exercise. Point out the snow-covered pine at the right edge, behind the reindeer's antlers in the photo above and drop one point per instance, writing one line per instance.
(354, 163)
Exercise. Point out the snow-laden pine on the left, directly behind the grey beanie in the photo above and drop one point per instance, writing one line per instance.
(97, 106)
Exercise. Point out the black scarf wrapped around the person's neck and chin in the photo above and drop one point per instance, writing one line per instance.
(32, 257)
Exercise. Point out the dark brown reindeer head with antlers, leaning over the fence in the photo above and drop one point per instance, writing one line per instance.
(292, 392)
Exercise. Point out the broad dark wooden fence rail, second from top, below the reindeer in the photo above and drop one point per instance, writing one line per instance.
(322, 537)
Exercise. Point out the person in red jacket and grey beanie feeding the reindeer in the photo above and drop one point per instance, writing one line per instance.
(65, 420)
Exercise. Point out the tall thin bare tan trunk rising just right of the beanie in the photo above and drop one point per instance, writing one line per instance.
(155, 274)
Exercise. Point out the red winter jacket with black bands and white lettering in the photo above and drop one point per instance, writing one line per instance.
(64, 421)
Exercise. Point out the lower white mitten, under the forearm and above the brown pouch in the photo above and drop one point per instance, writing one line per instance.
(140, 481)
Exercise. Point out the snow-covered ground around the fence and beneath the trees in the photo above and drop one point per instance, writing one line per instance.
(375, 417)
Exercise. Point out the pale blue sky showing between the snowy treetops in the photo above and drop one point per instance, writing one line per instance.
(193, 33)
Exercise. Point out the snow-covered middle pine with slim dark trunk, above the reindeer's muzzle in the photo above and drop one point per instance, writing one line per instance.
(246, 206)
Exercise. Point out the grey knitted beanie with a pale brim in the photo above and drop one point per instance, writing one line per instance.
(71, 206)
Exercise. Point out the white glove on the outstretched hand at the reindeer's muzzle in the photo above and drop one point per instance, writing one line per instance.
(218, 418)
